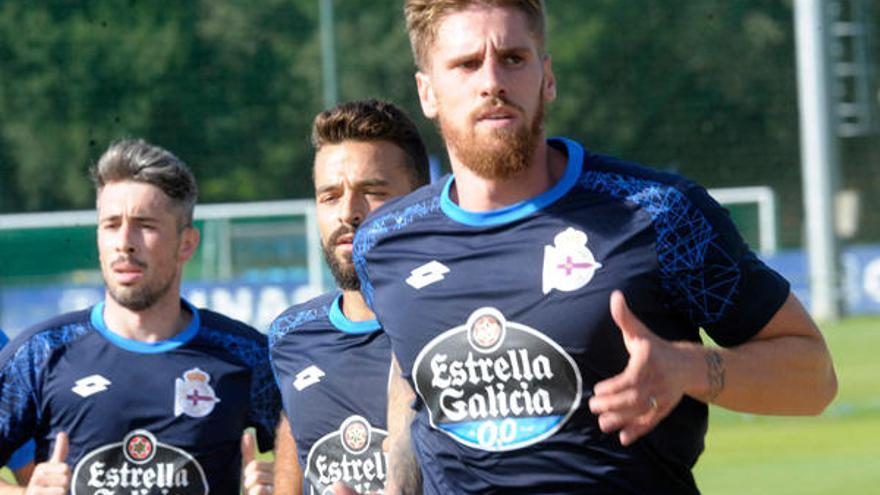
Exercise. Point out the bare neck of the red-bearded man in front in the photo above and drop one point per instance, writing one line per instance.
(475, 193)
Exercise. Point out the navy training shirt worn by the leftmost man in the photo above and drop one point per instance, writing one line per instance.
(151, 418)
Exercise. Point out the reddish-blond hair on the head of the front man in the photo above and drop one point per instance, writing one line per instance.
(424, 16)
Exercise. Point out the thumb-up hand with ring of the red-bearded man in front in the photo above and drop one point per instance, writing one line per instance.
(650, 386)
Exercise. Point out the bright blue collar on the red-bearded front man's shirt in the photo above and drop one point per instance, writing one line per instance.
(523, 208)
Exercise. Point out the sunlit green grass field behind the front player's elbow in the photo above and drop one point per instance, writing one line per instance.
(836, 453)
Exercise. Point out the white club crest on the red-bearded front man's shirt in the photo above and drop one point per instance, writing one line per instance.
(568, 264)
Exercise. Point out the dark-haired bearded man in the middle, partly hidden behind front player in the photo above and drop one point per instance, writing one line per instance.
(330, 356)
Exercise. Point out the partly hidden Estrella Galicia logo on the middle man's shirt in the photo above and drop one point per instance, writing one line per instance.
(352, 454)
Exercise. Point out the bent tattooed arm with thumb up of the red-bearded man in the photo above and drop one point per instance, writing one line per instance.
(785, 369)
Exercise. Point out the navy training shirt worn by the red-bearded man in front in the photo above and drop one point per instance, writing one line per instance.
(501, 321)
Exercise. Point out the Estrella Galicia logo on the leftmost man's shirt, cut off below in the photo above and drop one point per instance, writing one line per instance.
(139, 464)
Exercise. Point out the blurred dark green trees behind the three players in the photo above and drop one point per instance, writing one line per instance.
(704, 88)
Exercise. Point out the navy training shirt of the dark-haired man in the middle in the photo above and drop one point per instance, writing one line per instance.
(333, 375)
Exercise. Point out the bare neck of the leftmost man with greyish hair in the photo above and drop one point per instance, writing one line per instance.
(161, 321)
